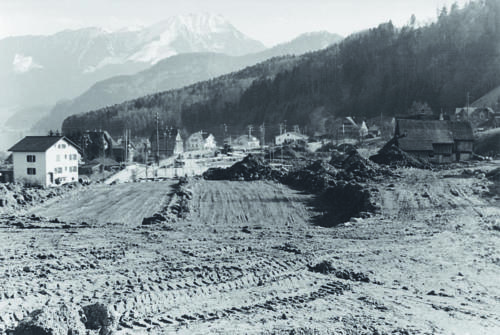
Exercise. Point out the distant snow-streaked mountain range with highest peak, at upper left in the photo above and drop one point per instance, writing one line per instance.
(40, 70)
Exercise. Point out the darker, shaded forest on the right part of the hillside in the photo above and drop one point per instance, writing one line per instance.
(381, 71)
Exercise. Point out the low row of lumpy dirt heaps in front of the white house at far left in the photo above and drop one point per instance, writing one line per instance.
(16, 196)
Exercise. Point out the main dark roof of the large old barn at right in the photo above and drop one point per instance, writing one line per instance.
(419, 135)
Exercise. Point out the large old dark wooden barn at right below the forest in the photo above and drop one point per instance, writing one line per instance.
(434, 140)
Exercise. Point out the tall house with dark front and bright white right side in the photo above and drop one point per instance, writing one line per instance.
(168, 143)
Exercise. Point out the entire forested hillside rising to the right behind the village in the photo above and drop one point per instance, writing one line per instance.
(380, 71)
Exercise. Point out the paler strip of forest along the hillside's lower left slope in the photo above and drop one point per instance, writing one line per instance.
(139, 115)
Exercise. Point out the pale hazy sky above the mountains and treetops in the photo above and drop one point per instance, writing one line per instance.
(270, 21)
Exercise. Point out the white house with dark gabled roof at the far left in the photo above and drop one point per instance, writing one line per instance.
(45, 160)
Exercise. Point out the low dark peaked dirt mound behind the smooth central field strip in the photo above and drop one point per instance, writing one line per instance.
(250, 168)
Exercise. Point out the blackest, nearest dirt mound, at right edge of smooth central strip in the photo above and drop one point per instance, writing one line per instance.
(342, 202)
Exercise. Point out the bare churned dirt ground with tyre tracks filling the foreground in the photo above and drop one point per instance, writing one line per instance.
(242, 261)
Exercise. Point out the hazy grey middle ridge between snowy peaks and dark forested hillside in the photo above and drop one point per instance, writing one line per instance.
(171, 73)
